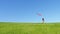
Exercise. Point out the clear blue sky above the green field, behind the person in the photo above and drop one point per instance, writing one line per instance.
(26, 10)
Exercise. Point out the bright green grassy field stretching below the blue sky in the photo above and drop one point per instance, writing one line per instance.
(29, 28)
